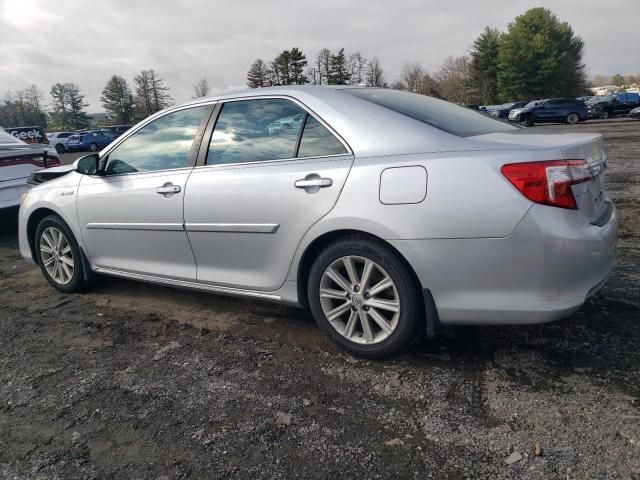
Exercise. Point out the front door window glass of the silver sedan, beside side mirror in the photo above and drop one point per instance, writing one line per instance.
(160, 145)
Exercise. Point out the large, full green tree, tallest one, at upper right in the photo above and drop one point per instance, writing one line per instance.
(540, 57)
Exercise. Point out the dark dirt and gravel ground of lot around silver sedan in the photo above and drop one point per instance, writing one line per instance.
(136, 381)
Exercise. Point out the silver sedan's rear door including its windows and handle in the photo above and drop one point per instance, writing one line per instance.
(259, 189)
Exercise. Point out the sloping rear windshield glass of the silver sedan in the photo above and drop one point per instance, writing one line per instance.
(446, 116)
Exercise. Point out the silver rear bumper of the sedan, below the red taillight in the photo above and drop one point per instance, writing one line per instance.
(543, 271)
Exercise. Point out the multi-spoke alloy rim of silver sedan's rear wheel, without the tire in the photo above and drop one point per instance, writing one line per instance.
(360, 300)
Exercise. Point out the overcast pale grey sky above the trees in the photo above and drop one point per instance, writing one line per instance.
(45, 42)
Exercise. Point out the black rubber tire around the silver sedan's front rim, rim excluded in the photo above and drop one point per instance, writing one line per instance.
(80, 279)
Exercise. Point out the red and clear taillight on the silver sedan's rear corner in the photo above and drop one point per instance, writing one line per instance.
(549, 182)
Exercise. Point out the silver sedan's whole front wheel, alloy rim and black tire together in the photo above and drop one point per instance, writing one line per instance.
(59, 255)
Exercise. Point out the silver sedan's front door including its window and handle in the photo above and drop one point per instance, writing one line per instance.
(131, 218)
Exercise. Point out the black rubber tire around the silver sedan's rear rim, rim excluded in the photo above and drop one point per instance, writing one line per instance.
(411, 320)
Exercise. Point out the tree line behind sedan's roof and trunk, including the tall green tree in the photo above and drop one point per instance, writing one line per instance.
(538, 56)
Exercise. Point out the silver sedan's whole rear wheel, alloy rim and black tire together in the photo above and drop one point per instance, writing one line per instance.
(364, 296)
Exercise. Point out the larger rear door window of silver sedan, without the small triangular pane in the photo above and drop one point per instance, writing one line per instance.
(255, 130)
